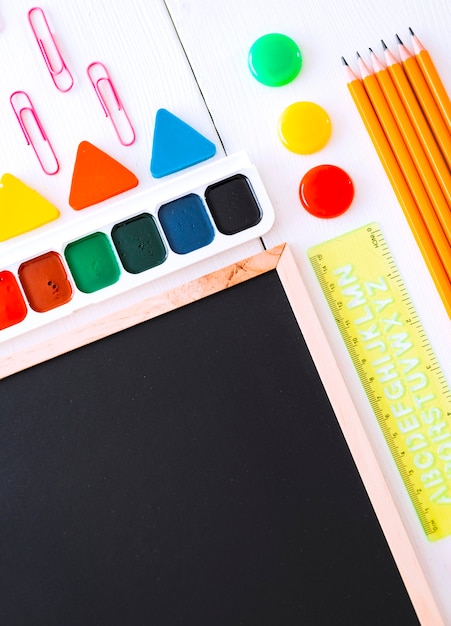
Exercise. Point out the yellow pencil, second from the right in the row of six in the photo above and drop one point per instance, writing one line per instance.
(426, 100)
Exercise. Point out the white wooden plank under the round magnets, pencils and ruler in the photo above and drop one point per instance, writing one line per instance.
(246, 114)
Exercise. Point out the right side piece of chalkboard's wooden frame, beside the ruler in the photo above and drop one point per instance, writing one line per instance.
(391, 522)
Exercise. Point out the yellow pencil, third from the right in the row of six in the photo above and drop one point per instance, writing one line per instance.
(420, 122)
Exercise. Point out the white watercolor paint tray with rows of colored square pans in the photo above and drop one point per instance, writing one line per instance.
(47, 275)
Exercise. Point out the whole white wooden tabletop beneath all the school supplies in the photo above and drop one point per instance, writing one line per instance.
(190, 56)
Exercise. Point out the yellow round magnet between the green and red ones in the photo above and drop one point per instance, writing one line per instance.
(304, 127)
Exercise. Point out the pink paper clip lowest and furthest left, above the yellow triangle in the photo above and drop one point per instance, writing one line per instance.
(34, 131)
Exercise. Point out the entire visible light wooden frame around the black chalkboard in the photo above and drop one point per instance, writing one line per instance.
(280, 259)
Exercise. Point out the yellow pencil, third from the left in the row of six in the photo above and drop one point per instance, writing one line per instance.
(414, 146)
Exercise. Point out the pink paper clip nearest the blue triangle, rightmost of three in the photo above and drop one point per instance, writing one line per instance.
(111, 103)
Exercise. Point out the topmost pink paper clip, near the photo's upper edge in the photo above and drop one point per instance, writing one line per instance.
(54, 61)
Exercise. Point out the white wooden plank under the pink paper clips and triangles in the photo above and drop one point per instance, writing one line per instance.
(138, 44)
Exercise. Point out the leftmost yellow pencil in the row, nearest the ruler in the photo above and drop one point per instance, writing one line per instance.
(436, 267)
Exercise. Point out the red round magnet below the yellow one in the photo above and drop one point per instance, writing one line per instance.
(326, 191)
